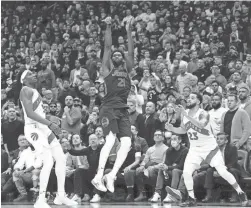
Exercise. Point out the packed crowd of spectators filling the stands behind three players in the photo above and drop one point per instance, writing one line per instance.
(180, 47)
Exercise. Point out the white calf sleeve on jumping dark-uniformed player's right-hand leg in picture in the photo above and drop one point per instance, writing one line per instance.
(121, 154)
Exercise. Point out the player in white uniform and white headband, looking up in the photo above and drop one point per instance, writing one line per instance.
(38, 131)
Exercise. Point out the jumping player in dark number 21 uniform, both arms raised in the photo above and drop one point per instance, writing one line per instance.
(113, 111)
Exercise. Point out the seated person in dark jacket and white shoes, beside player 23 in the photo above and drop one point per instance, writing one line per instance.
(171, 170)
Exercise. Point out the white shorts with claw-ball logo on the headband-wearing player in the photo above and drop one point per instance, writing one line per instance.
(38, 136)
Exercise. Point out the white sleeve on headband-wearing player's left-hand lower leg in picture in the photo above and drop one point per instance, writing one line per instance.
(45, 172)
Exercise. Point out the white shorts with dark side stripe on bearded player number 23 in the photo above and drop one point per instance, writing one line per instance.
(212, 157)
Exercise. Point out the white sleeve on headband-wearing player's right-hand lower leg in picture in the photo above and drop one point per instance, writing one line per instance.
(60, 168)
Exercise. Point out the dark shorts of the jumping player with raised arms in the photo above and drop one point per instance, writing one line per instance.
(115, 120)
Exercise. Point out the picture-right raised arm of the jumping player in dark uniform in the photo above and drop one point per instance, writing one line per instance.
(130, 57)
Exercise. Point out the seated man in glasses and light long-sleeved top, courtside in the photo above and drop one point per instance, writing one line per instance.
(149, 167)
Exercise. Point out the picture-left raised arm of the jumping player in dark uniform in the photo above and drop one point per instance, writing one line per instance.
(107, 49)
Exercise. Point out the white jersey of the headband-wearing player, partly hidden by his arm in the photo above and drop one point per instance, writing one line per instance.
(37, 108)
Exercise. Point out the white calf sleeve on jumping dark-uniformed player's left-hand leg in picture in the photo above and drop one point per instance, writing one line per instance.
(104, 154)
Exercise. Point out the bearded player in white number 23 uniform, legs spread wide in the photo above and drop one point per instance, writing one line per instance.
(203, 146)
